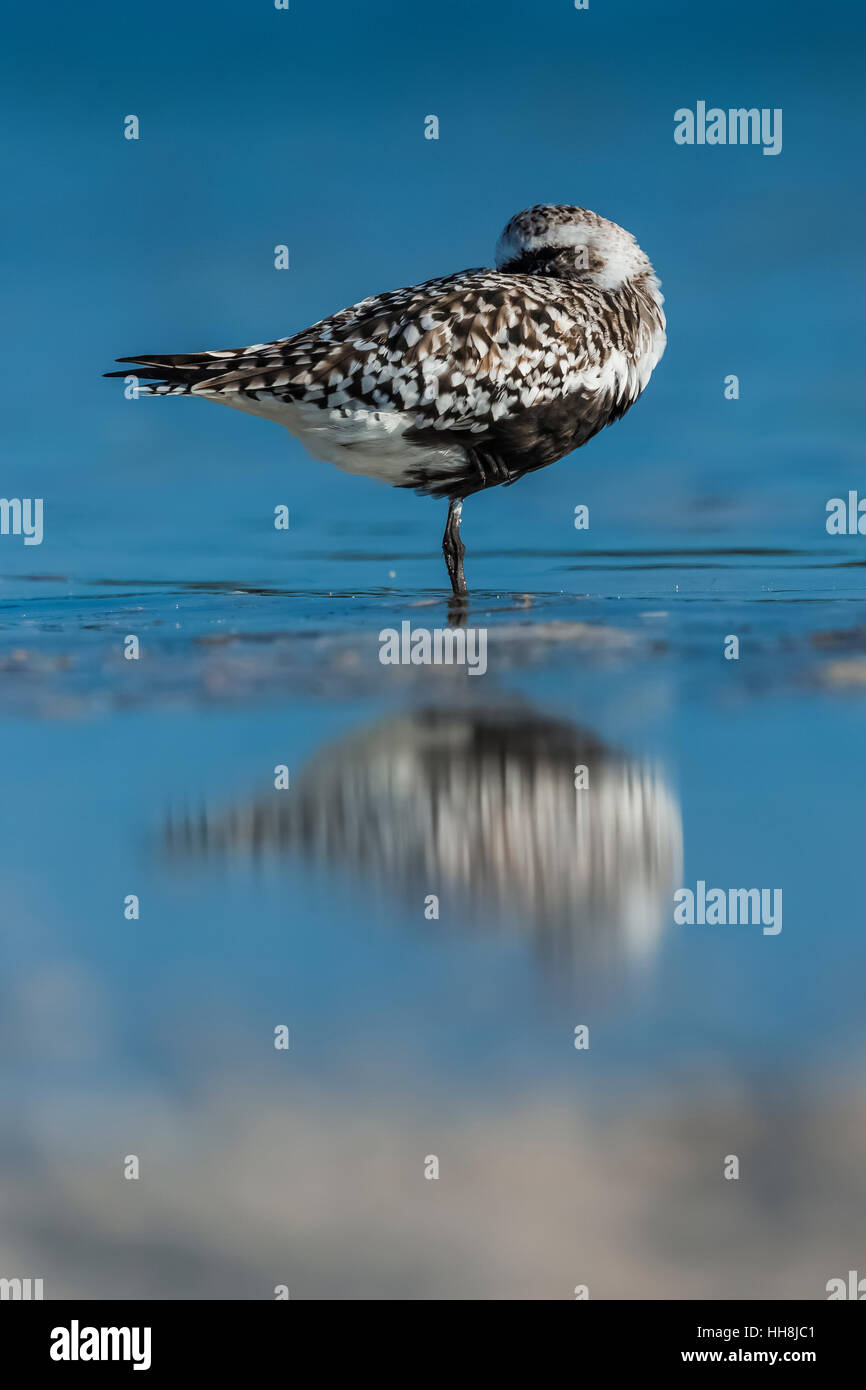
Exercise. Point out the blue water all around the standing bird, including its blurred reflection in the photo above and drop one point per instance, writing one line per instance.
(307, 908)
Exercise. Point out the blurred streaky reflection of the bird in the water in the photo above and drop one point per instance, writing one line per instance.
(479, 808)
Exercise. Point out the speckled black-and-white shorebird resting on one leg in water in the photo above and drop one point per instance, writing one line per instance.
(462, 383)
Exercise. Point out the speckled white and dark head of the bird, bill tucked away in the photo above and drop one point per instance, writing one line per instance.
(572, 244)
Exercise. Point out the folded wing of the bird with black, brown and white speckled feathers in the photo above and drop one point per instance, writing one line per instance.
(458, 354)
